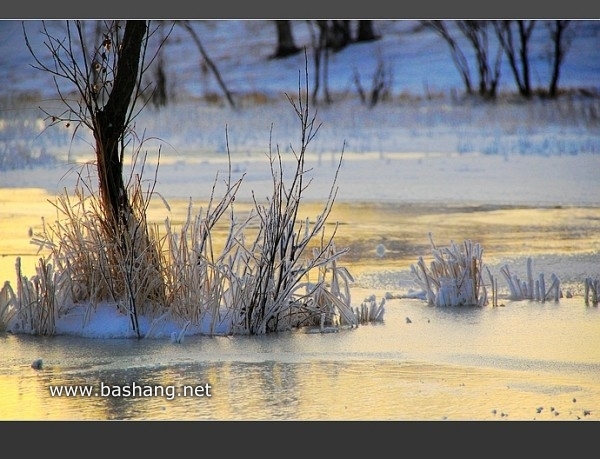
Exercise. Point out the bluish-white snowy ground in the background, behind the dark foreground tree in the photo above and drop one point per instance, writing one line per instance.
(427, 143)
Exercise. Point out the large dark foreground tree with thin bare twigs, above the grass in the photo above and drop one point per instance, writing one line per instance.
(108, 83)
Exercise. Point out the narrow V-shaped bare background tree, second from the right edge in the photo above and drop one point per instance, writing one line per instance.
(517, 53)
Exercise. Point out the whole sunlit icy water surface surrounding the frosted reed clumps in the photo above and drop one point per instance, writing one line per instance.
(522, 360)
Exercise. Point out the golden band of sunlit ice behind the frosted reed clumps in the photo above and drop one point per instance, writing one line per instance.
(399, 231)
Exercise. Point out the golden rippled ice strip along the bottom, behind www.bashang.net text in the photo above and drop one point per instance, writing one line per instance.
(321, 390)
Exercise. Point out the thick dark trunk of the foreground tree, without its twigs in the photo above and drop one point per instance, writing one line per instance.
(111, 123)
